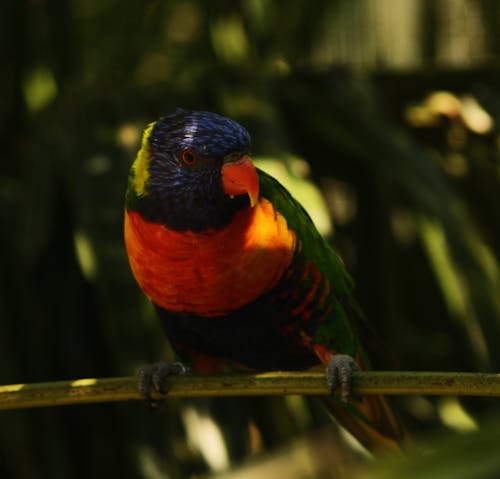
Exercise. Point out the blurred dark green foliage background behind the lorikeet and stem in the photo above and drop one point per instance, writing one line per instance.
(382, 116)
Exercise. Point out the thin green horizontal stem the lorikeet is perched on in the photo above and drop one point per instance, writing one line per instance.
(82, 391)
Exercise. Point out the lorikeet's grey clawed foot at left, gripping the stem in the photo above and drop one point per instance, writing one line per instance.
(153, 377)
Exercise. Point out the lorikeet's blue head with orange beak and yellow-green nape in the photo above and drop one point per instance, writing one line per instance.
(193, 171)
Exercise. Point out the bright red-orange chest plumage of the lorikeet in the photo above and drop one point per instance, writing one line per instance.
(214, 272)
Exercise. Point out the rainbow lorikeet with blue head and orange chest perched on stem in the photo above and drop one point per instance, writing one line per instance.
(238, 273)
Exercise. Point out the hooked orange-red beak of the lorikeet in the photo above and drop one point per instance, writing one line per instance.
(240, 177)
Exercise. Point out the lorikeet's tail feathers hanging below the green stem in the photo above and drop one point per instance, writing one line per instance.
(371, 421)
